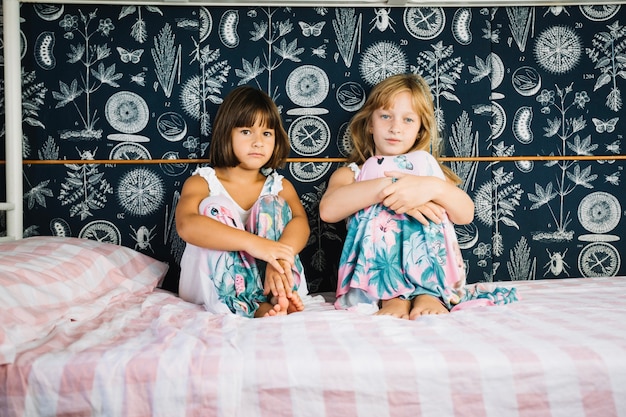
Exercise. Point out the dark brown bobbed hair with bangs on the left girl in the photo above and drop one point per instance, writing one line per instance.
(242, 107)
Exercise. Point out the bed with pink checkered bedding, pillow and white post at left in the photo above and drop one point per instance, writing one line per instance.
(85, 330)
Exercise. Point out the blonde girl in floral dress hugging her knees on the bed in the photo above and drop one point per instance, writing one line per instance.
(401, 253)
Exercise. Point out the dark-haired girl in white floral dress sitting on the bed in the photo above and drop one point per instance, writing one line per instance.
(243, 223)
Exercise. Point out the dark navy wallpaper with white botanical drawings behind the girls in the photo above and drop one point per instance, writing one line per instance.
(529, 100)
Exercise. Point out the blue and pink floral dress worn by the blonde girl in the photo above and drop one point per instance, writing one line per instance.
(388, 255)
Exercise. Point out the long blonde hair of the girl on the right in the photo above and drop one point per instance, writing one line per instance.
(381, 97)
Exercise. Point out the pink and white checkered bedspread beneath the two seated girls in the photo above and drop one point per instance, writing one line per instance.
(560, 351)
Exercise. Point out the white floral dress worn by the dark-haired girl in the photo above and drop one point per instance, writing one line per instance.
(232, 282)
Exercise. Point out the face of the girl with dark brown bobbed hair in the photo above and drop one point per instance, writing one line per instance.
(253, 145)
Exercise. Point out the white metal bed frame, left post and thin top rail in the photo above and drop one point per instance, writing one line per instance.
(12, 70)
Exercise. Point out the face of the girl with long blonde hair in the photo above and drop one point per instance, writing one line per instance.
(395, 129)
